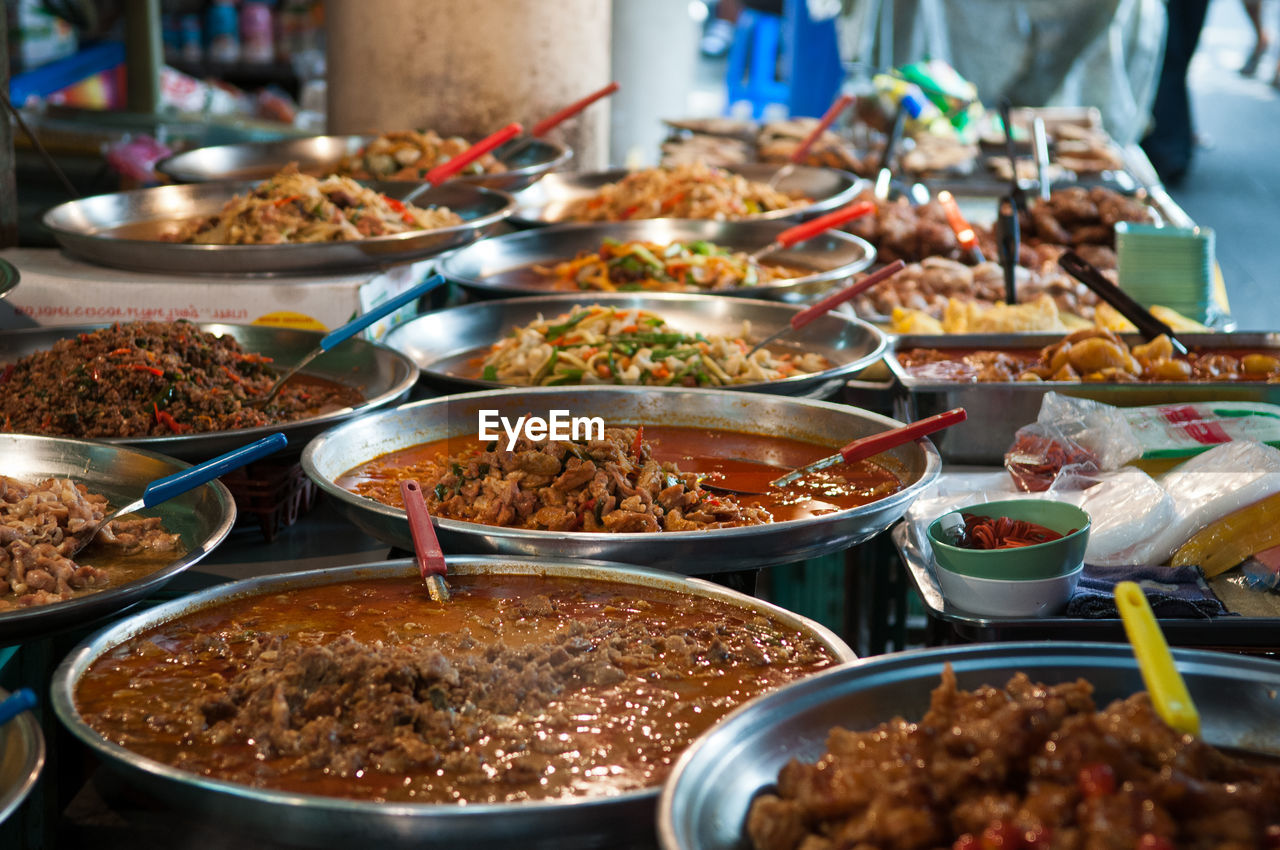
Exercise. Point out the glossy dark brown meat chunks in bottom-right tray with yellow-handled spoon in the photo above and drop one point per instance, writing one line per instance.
(1021, 767)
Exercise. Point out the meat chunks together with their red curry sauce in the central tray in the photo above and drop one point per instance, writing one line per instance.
(634, 481)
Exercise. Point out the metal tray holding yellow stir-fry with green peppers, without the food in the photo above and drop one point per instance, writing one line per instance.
(501, 264)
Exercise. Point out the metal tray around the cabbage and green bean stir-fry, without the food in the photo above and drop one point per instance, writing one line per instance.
(447, 344)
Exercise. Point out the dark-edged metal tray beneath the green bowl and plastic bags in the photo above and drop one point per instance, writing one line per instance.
(1244, 634)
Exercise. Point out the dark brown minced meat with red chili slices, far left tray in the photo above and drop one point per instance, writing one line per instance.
(153, 380)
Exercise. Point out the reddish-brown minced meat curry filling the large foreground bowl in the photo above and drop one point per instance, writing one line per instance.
(520, 688)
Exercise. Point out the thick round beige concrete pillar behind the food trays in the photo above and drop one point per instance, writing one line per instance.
(469, 67)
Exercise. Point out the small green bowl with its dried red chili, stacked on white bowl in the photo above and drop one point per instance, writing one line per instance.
(1013, 541)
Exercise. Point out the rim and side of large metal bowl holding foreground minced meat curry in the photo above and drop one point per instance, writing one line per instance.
(625, 820)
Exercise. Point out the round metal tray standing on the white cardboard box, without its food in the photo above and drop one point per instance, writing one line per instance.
(125, 230)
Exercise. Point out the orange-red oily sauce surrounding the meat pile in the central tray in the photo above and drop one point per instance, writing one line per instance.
(730, 459)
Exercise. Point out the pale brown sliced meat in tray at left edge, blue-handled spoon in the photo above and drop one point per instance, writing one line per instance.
(43, 524)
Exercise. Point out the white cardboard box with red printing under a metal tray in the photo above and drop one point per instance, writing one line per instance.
(58, 290)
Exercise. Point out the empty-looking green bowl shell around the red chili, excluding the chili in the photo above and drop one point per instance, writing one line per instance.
(1043, 561)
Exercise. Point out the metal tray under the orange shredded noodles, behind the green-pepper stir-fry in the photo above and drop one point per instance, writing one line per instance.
(545, 202)
